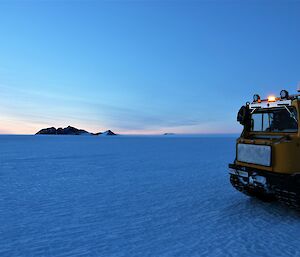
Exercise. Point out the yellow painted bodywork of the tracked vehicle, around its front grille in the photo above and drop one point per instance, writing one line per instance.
(285, 150)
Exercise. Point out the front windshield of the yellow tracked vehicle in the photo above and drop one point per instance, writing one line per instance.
(274, 120)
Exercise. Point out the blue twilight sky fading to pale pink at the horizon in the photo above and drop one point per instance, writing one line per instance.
(142, 66)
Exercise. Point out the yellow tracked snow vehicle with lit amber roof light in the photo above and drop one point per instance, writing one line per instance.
(267, 163)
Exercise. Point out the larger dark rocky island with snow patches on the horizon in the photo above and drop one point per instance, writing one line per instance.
(71, 131)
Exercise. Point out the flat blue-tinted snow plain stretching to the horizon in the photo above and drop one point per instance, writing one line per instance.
(132, 196)
